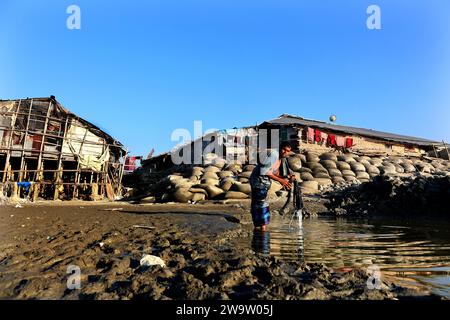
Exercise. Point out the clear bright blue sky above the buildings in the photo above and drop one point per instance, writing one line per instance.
(140, 70)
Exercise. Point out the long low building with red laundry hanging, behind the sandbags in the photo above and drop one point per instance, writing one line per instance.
(303, 134)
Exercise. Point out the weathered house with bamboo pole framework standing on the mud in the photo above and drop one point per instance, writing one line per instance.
(46, 151)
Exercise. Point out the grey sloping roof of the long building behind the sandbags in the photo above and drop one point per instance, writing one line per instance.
(287, 119)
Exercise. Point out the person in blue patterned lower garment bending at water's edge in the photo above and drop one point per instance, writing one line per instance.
(269, 168)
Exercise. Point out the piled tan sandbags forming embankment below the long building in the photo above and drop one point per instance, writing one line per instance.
(217, 179)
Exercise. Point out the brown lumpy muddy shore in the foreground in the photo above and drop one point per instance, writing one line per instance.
(210, 252)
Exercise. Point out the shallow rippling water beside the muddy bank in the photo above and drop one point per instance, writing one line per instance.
(412, 253)
